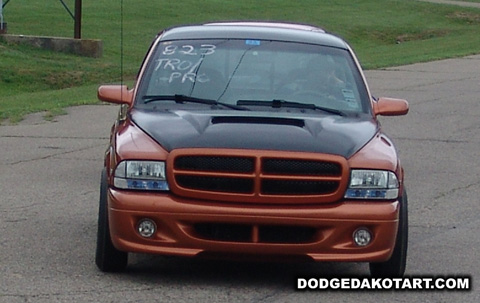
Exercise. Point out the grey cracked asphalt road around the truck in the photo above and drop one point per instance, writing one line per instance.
(49, 182)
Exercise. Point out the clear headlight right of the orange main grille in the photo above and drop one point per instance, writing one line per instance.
(372, 184)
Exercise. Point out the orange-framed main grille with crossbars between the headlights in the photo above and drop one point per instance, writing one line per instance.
(249, 176)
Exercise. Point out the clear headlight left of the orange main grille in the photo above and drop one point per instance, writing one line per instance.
(147, 175)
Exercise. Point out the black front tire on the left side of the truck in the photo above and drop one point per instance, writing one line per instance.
(107, 257)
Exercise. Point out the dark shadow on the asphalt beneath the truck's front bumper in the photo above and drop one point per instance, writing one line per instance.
(188, 271)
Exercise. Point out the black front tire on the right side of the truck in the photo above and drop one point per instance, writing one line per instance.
(395, 266)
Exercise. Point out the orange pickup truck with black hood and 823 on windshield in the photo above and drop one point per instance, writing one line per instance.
(252, 140)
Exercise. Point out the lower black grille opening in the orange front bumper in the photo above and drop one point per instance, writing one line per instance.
(255, 233)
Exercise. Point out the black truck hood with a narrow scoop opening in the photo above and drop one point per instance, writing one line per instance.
(256, 130)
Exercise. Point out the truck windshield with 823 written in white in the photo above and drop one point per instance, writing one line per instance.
(235, 71)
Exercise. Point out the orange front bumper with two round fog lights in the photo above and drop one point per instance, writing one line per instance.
(181, 224)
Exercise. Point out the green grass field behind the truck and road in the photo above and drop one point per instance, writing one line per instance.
(383, 33)
